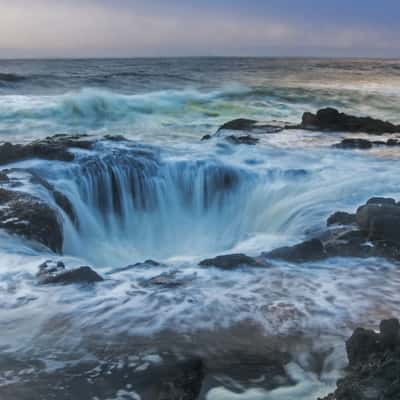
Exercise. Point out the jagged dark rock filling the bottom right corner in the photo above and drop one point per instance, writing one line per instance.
(374, 365)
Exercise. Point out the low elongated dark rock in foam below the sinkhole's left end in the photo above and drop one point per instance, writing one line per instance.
(67, 277)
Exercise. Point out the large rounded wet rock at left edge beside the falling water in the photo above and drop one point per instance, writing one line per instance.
(28, 216)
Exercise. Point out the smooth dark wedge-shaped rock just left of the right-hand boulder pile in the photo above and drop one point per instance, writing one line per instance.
(310, 250)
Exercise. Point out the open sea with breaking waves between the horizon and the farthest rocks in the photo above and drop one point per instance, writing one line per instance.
(169, 99)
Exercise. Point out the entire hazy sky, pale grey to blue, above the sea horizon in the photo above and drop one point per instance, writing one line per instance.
(97, 28)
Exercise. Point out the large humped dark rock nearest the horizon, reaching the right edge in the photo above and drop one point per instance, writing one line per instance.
(330, 119)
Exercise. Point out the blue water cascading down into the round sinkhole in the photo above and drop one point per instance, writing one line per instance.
(132, 205)
